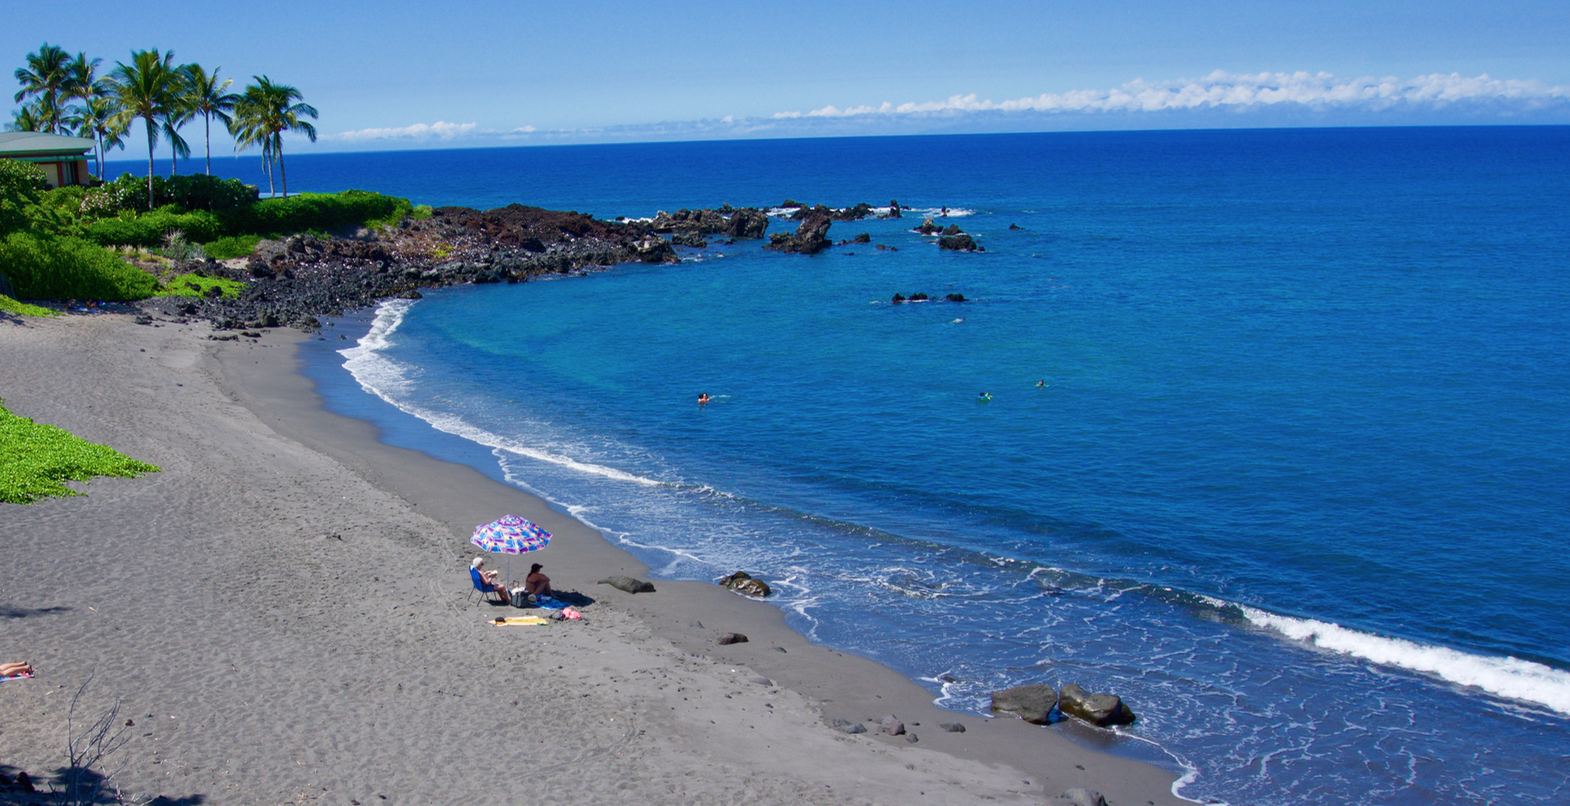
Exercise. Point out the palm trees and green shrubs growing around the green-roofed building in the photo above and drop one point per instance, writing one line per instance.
(75, 243)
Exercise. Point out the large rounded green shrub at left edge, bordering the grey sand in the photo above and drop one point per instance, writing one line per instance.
(62, 268)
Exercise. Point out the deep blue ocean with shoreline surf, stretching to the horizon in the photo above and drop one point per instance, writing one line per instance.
(1277, 449)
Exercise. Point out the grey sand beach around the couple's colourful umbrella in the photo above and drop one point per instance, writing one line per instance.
(283, 617)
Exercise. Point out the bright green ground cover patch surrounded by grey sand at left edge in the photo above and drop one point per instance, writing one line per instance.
(37, 460)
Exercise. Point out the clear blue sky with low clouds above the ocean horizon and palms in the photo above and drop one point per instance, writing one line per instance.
(476, 73)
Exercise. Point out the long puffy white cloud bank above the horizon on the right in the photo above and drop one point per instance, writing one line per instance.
(1227, 90)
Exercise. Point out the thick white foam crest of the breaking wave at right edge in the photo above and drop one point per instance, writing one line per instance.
(1505, 676)
